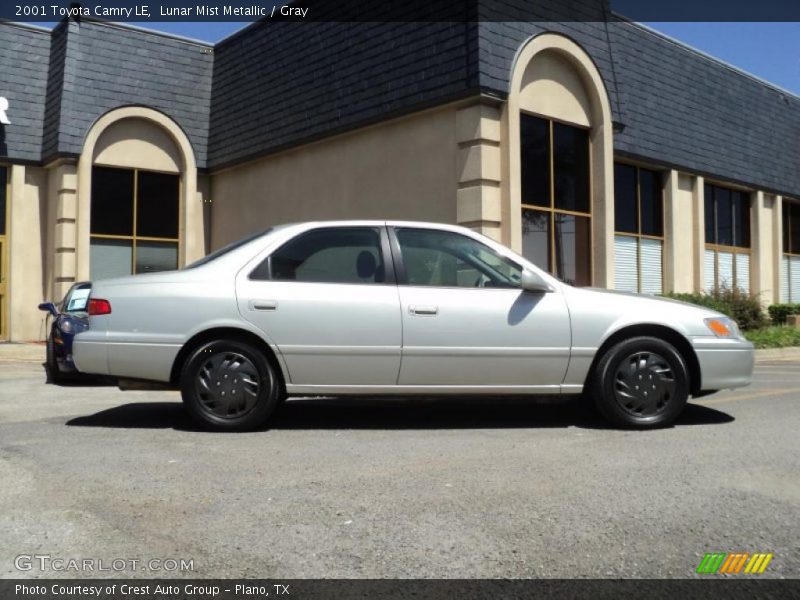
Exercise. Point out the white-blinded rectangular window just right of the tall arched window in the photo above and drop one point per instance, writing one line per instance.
(639, 229)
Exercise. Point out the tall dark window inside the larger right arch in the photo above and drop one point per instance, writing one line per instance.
(556, 198)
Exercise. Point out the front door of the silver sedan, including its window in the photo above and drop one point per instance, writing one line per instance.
(466, 321)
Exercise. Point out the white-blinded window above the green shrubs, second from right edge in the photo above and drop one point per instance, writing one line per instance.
(727, 232)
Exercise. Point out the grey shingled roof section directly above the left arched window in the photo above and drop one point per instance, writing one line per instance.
(107, 67)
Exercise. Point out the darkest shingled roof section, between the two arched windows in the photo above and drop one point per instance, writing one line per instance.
(279, 84)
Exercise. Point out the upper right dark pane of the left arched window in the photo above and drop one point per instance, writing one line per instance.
(157, 205)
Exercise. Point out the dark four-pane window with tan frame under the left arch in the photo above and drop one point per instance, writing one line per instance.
(135, 218)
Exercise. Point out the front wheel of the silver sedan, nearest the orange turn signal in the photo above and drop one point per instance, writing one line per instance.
(641, 383)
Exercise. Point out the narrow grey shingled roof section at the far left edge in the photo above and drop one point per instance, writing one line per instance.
(23, 80)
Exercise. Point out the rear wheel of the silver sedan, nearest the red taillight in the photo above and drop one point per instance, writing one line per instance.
(230, 385)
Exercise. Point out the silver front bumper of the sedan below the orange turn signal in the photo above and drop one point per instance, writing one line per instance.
(724, 364)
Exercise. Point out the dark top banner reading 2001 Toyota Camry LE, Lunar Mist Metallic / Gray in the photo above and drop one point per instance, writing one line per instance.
(400, 10)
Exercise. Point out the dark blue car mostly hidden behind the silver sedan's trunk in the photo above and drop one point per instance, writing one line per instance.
(69, 317)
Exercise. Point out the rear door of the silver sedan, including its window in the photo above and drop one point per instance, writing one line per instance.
(328, 300)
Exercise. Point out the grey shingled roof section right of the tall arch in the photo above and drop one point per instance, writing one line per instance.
(686, 110)
